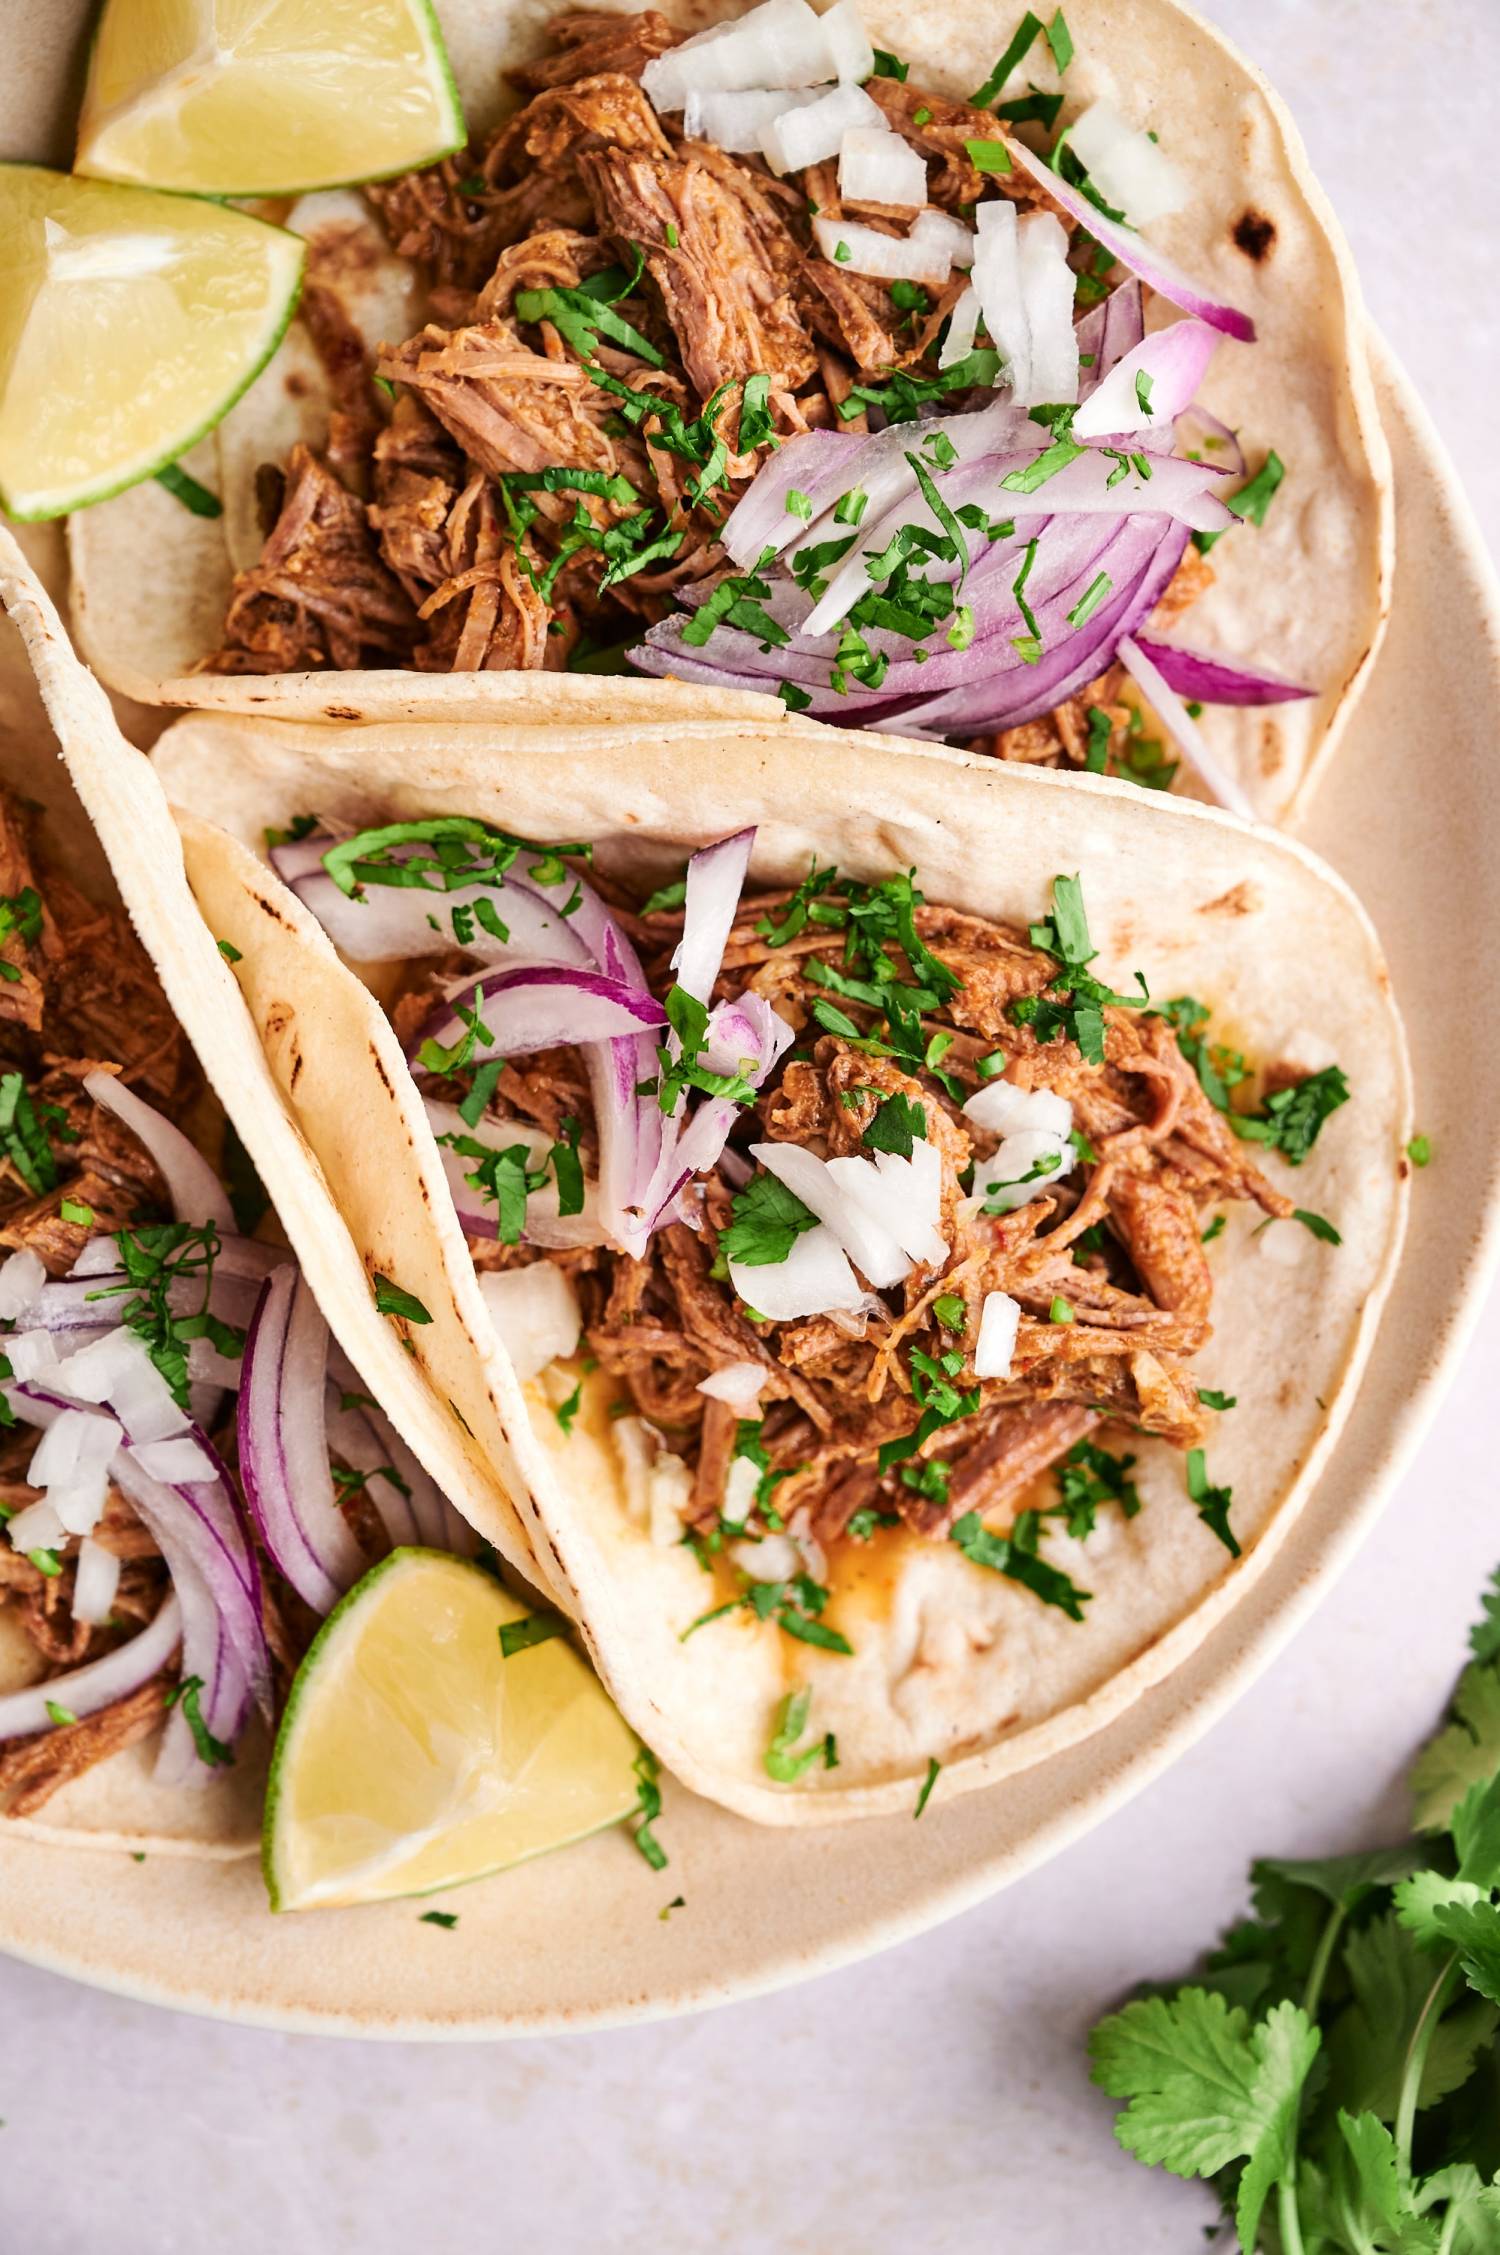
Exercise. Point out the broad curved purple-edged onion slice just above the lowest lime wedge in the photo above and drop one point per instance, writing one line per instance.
(283, 1444)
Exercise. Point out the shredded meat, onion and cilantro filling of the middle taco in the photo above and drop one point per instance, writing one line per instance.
(865, 1212)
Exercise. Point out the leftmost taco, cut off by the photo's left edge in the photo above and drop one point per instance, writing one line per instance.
(193, 1458)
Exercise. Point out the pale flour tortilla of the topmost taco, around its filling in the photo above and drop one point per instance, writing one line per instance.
(1305, 599)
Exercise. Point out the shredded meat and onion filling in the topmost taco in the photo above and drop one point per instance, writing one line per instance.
(757, 364)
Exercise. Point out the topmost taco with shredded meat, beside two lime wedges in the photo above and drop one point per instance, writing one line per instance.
(811, 360)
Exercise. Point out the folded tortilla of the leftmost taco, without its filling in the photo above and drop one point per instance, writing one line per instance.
(439, 1392)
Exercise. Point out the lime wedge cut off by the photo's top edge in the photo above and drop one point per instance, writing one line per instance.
(265, 98)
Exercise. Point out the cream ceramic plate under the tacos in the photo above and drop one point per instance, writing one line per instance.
(1411, 813)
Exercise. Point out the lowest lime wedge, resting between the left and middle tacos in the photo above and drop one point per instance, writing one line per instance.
(416, 1756)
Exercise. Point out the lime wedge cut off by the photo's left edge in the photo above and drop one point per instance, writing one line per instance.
(130, 326)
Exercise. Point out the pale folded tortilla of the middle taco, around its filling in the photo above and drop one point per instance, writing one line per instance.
(951, 1663)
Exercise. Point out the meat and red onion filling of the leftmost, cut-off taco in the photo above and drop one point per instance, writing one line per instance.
(191, 1474)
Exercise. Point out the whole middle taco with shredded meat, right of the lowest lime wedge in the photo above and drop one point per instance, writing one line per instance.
(930, 1217)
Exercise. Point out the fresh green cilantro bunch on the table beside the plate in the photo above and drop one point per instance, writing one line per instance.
(1334, 2062)
